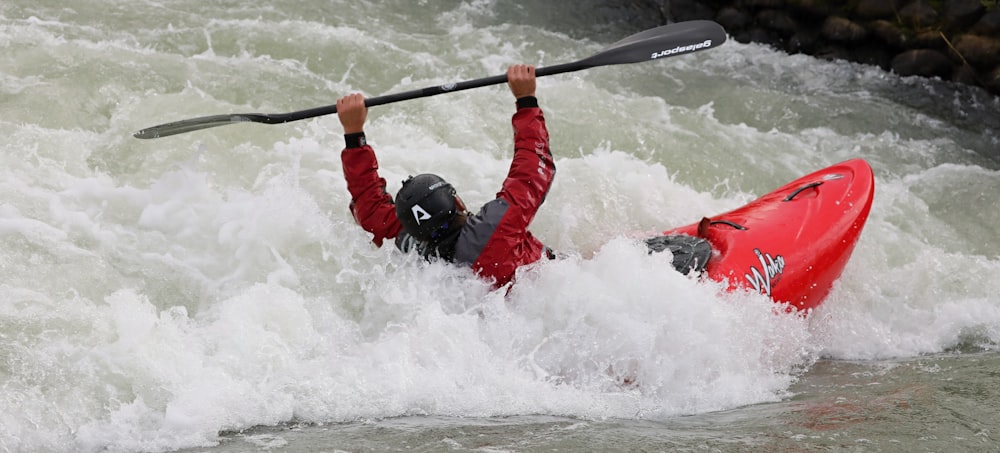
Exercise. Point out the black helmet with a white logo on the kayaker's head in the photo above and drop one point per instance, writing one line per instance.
(425, 205)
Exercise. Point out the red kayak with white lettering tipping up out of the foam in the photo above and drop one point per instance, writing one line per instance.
(790, 244)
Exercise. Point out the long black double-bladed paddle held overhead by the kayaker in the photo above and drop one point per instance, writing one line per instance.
(652, 44)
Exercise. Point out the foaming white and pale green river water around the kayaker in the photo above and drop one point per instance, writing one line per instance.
(210, 291)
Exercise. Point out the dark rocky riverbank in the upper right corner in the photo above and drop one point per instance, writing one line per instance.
(955, 40)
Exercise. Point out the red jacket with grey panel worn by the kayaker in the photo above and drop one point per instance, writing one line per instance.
(495, 241)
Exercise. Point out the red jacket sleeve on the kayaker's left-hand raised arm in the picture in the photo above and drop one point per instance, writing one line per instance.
(371, 205)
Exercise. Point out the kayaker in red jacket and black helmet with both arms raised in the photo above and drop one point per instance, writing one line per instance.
(429, 216)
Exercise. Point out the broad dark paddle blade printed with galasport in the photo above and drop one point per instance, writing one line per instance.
(664, 41)
